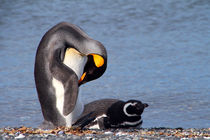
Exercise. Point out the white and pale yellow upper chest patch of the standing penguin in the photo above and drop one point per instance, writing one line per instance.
(75, 60)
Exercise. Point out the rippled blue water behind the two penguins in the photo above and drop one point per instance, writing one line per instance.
(158, 52)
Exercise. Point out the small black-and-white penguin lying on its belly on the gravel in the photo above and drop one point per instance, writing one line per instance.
(111, 113)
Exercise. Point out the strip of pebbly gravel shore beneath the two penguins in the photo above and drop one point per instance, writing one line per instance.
(127, 134)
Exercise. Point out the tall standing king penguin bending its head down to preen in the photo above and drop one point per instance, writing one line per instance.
(66, 58)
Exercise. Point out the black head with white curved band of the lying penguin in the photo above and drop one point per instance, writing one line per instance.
(134, 108)
